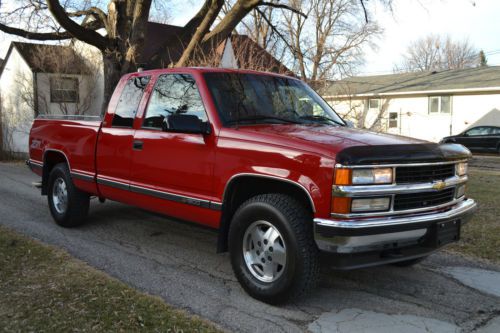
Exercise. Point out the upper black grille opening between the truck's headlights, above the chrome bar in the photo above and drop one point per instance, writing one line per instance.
(424, 173)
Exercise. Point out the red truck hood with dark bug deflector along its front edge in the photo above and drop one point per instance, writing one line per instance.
(355, 145)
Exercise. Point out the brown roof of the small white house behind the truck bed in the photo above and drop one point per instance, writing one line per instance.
(47, 58)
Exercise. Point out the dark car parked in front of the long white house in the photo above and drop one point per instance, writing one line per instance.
(479, 139)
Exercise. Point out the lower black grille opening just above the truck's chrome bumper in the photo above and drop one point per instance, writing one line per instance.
(423, 199)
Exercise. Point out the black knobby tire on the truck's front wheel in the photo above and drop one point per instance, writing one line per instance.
(294, 224)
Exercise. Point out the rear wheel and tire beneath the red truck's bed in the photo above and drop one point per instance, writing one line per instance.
(68, 205)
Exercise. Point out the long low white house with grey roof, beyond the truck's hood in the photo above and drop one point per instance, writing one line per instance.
(425, 105)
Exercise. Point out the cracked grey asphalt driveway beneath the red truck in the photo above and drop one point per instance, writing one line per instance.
(178, 262)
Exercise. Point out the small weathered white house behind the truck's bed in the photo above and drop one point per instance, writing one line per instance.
(41, 79)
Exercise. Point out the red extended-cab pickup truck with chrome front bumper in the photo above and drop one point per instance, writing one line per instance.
(263, 159)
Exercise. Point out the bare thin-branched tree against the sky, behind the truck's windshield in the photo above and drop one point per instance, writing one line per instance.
(330, 41)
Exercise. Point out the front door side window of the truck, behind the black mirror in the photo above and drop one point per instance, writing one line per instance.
(173, 94)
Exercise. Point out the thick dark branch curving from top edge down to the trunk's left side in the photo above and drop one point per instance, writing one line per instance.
(76, 30)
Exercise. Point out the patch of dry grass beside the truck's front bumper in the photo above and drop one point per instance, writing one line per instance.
(481, 236)
